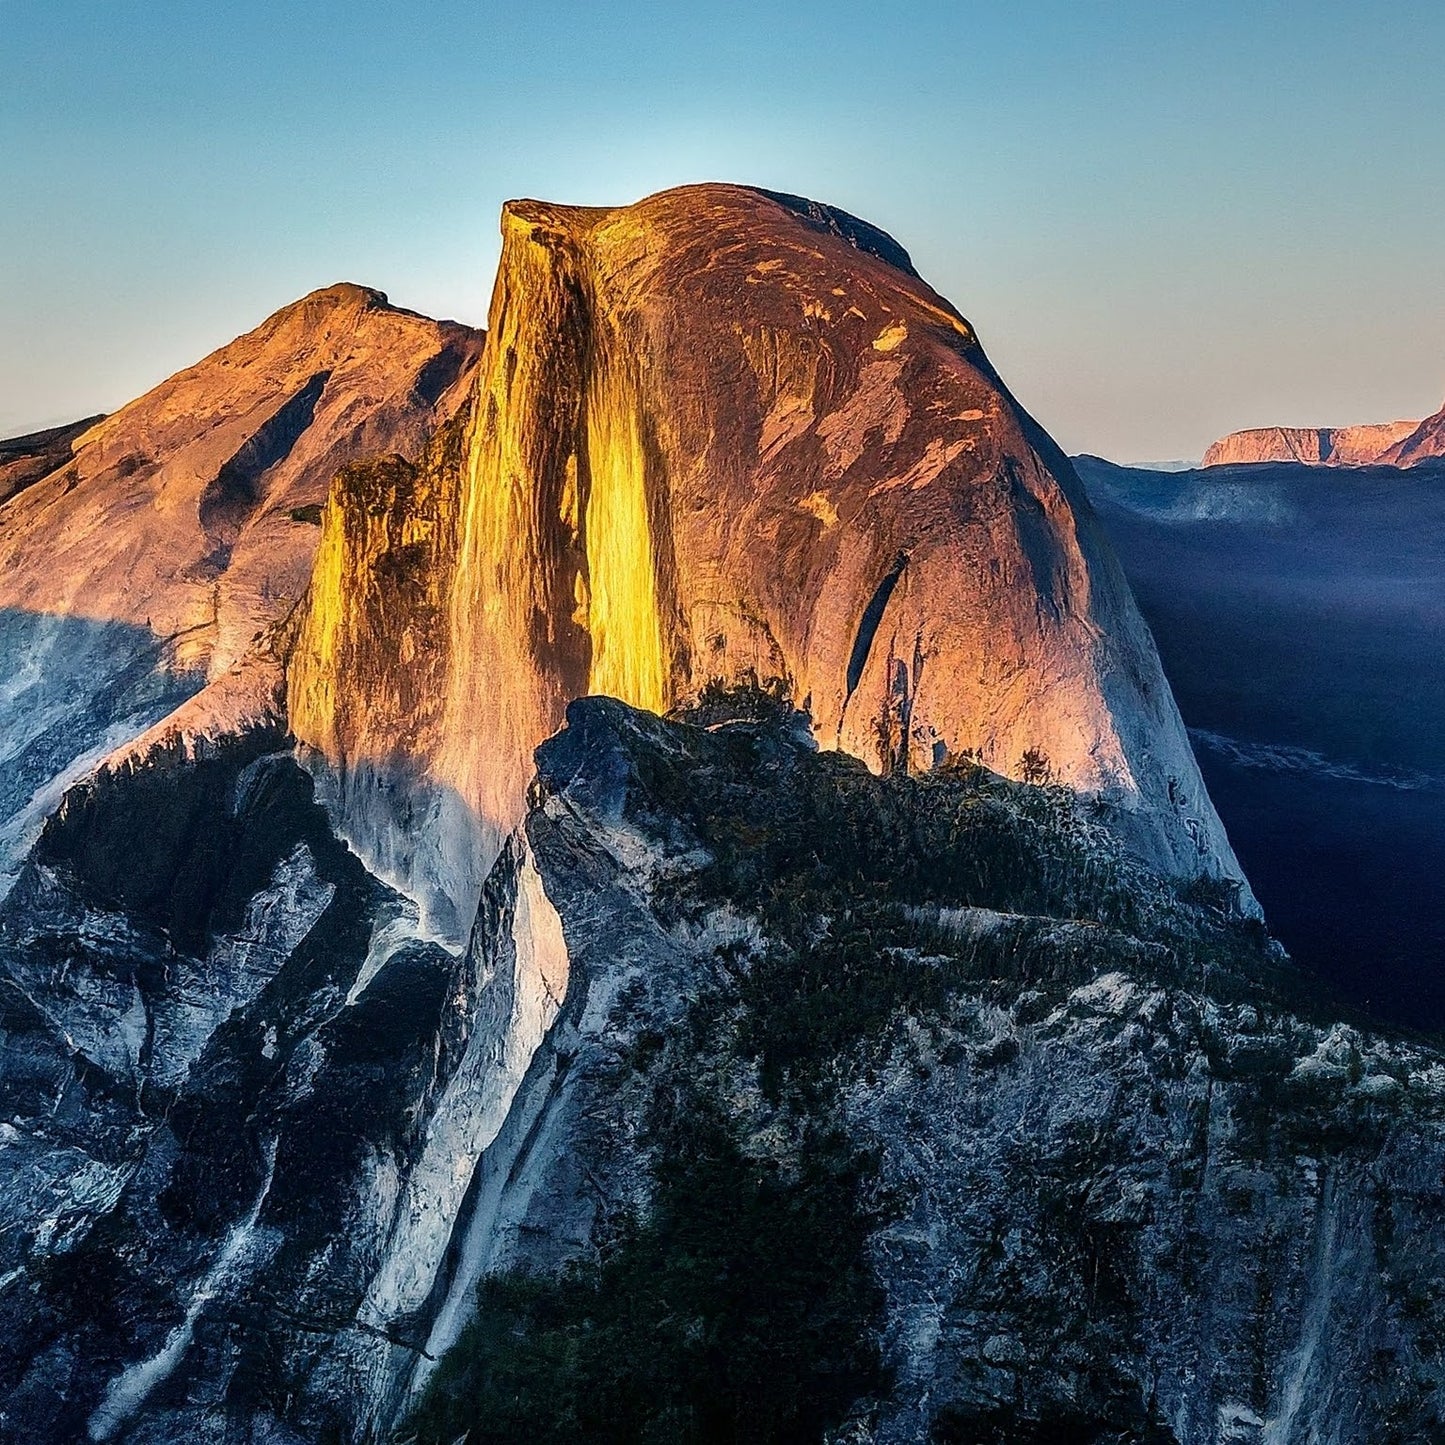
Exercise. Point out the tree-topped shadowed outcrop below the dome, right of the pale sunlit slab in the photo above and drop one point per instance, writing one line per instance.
(910, 1110)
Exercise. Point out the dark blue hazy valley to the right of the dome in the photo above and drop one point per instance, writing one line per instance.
(1301, 619)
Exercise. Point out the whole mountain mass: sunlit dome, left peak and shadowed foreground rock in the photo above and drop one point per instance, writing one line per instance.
(683, 911)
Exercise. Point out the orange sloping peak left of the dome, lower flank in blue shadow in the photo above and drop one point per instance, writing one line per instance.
(141, 557)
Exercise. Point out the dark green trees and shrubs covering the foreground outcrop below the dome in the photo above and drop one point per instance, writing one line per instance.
(739, 1304)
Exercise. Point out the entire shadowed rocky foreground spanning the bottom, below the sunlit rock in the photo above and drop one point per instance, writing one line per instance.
(765, 1090)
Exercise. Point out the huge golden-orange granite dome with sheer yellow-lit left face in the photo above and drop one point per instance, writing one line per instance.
(723, 436)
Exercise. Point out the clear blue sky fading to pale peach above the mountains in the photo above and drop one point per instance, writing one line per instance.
(1165, 220)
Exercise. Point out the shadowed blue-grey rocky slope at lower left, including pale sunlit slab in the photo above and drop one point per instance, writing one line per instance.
(243, 1100)
